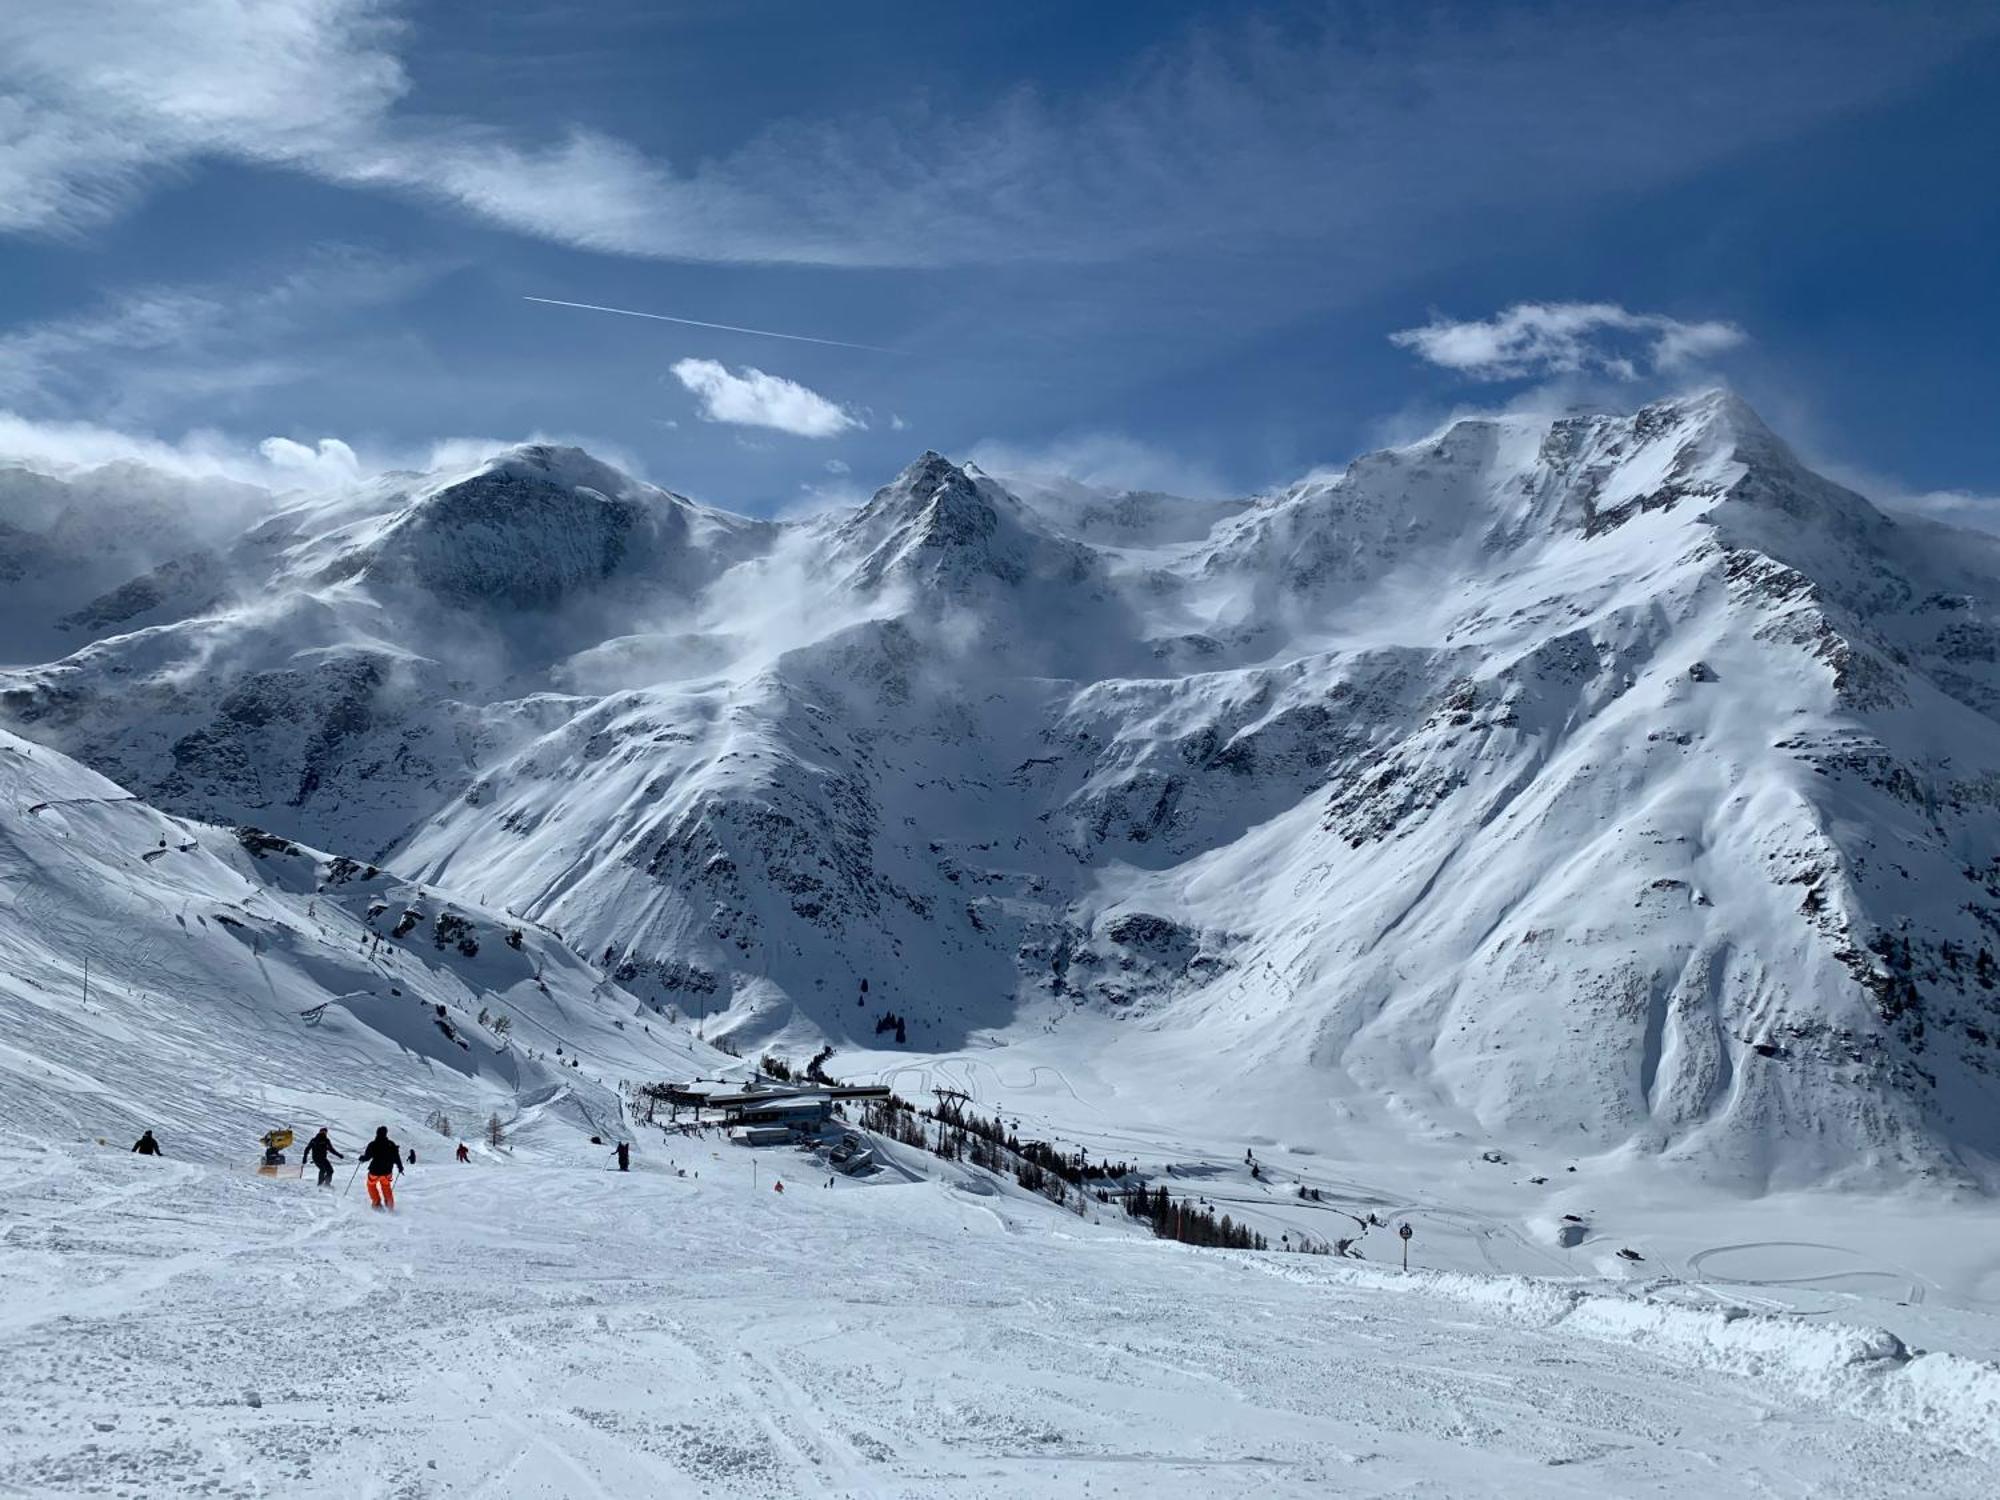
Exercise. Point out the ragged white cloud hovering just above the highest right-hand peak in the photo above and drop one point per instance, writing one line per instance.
(1557, 339)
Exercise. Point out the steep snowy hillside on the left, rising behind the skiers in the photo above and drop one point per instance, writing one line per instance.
(207, 949)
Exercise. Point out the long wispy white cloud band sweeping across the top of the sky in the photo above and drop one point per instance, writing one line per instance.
(1307, 129)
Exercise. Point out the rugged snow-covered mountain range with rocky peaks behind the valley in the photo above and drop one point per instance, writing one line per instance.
(1605, 779)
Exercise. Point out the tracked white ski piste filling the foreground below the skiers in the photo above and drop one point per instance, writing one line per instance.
(553, 1329)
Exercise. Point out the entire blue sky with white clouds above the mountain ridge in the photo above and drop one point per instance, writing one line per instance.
(1163, 243)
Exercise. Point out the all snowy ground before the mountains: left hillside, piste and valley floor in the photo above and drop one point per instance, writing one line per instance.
(535, 1323)
